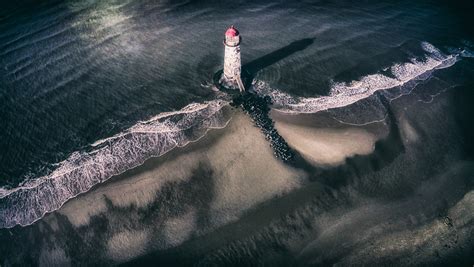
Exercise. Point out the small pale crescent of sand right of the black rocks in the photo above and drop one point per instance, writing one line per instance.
(324, 141)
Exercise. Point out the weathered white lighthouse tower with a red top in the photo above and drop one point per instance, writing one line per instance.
(231, 78)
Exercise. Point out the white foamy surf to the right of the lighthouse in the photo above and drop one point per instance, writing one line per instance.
(343, 94)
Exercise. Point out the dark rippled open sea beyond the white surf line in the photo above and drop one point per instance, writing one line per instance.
(74, 72)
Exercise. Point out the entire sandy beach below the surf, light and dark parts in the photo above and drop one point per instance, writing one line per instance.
(381, 191)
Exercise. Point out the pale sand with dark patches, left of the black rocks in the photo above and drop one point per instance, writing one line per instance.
(185, 193)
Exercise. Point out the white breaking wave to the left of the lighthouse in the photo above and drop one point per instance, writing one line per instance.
(77, 174)
